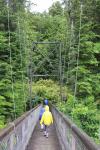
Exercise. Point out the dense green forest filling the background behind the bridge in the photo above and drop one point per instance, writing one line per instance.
(75, 89)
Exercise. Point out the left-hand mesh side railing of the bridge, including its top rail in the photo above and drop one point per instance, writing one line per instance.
(17, 134)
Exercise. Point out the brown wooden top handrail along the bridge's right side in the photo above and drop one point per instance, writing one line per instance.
(85, 139)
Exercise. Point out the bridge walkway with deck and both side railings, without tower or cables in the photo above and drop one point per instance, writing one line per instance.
(25, 133)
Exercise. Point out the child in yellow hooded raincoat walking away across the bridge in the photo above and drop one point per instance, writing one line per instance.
(47, 120)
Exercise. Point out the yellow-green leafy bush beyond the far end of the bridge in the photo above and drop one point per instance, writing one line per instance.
(47, 89)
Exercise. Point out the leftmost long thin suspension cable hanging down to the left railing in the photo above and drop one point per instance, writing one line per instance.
(11, 68)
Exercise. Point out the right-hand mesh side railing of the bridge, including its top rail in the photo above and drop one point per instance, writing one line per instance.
(70, 136)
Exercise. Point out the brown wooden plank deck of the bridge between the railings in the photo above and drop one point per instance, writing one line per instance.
(39, 142)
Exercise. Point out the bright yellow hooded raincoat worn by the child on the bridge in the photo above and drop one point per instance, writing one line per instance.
(47, 118)
